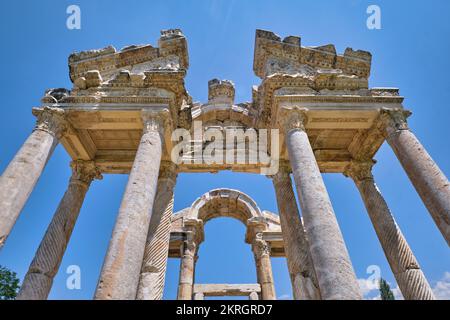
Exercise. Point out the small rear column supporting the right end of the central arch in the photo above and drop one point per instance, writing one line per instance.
(261, 251)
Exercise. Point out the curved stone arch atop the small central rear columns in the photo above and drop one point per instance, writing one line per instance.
(225, 203)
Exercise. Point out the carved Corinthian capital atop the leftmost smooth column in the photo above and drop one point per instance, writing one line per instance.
(51, 120)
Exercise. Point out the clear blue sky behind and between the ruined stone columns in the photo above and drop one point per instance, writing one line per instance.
(410, 52)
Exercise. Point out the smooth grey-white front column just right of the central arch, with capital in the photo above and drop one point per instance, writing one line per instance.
(334, 271)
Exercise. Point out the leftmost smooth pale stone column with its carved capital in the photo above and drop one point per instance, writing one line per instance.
(20, 177)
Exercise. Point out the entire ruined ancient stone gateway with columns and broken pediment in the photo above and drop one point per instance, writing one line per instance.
(313, 112)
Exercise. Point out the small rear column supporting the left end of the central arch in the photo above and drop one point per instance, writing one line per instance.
(187, 267)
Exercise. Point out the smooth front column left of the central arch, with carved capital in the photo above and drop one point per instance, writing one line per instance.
(121, 270)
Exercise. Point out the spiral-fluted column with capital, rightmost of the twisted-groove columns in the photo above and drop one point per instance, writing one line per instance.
(406, 269)
